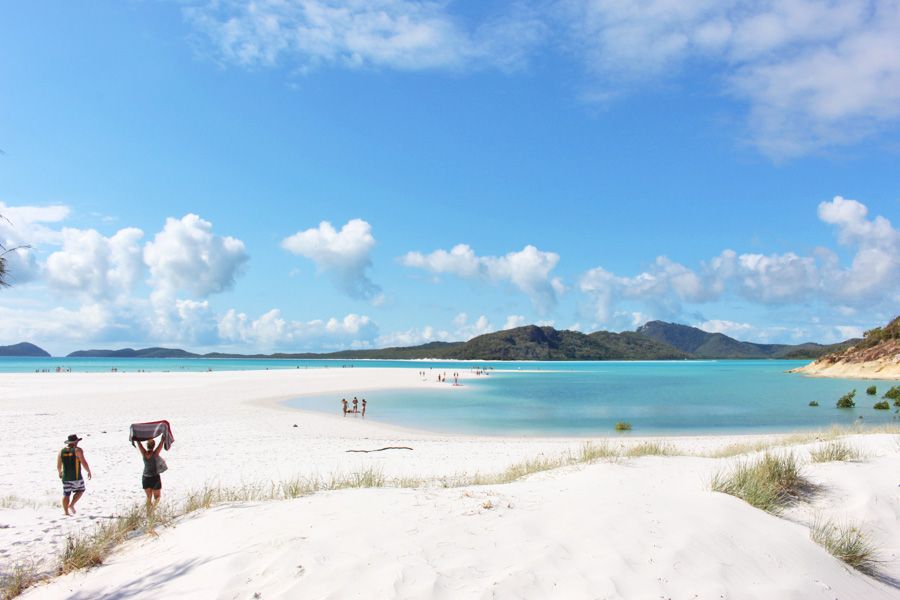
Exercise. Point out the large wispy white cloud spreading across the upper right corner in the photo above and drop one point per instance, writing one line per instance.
(814, 74)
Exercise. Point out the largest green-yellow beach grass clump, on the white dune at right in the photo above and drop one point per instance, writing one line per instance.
(769, 483)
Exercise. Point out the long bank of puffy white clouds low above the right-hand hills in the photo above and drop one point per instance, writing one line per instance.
(871, 280)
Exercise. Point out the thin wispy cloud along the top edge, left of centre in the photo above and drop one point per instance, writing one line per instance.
(400, 34)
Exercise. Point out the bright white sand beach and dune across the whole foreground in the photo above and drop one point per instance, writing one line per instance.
(646, 527)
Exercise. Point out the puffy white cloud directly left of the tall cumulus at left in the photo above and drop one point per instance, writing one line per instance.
(97, 266)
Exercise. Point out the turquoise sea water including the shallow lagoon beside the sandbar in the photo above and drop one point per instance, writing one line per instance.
(568, 398)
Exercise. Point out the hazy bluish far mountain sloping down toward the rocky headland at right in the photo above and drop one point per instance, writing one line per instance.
(702, 344)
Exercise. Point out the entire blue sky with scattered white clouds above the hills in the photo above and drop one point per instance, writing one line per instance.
(315, 175)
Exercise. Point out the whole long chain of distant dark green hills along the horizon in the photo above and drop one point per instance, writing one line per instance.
(656, 340)
